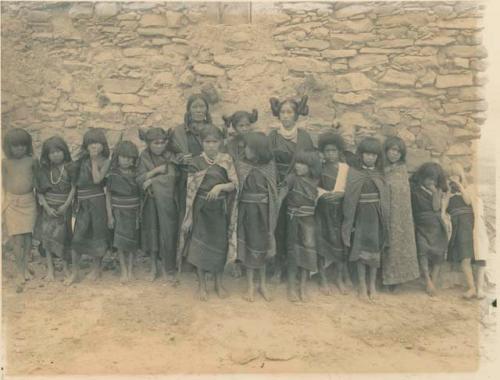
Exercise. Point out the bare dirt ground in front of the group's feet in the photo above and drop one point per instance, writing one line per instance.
(155, 328)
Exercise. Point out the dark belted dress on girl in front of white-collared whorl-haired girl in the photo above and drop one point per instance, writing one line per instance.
(301, 226)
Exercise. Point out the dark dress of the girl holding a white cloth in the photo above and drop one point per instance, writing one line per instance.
(329, 217)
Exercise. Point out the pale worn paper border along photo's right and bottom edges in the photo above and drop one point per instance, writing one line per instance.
(488, 369)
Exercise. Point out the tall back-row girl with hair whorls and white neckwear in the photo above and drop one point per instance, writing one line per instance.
(285, 143)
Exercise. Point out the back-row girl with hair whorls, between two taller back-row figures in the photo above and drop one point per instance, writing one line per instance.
(242, 122)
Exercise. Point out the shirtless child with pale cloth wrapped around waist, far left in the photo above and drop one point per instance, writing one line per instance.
(19, 205)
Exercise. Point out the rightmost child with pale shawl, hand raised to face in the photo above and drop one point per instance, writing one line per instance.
(469, 241)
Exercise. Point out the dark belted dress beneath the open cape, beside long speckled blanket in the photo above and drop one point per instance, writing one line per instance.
(368, 237)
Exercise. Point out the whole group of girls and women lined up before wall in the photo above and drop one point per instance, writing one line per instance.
(196, 199)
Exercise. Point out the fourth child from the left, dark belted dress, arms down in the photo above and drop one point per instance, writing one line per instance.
(123, 204)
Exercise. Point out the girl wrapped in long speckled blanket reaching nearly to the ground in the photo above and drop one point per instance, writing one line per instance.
(399, 261)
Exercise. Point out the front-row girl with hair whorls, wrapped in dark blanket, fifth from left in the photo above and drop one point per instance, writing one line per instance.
(158, 179)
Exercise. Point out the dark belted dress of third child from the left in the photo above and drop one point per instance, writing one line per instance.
(91, 235)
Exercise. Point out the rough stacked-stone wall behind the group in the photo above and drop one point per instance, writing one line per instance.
(409, 68)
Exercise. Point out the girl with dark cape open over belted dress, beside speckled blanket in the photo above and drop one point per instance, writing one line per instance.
(366, 213)
